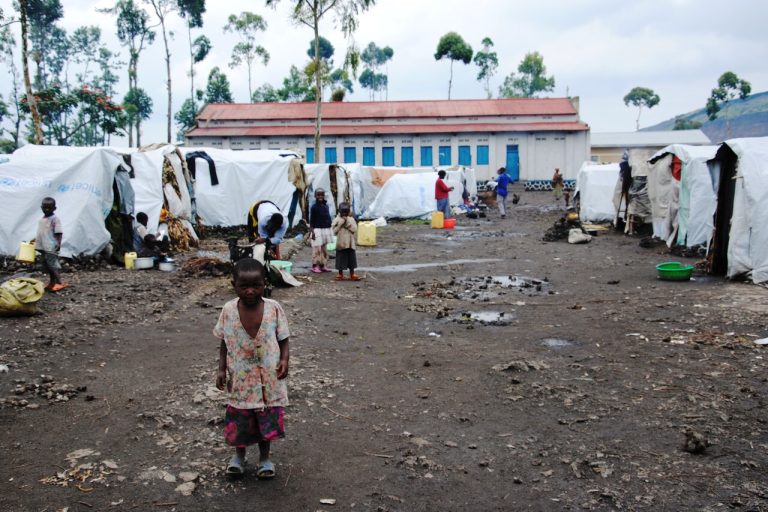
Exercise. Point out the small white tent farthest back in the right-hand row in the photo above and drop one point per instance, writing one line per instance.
(595, 184)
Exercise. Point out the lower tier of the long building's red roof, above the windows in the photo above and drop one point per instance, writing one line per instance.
(389, 129)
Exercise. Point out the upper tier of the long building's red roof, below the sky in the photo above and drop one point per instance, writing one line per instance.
(389, 109)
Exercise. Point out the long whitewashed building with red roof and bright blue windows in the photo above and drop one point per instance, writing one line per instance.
(528, 136)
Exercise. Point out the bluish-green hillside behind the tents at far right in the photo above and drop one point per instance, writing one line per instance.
(749, 118)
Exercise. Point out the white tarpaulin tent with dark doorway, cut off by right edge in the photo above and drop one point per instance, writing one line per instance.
(748, 236)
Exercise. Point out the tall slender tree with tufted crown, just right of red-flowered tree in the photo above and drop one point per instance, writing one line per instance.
(133, 31)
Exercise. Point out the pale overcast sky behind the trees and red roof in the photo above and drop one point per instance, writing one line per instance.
(596, 49)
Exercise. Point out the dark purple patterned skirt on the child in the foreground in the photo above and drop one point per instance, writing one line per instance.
(244, 427)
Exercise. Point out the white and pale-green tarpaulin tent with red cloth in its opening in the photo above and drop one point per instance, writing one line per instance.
(683, 211)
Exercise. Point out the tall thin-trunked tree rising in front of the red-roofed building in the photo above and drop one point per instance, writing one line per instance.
(309, 13)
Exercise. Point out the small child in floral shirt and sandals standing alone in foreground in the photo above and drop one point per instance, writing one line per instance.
(253, 365)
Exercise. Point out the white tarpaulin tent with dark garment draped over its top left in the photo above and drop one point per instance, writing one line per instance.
(244, 177)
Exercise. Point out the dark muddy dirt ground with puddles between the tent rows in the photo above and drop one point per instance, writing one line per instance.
(473, 369)
